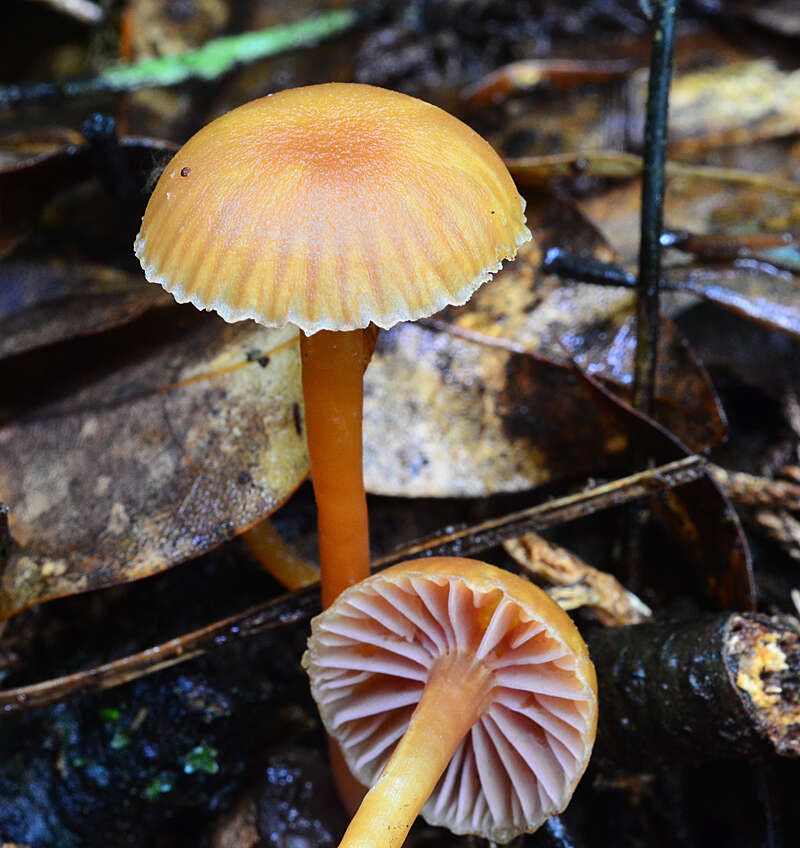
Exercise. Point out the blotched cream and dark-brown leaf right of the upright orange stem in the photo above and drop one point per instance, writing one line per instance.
(486, 400)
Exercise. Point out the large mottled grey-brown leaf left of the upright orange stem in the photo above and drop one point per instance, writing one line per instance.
(156, 461)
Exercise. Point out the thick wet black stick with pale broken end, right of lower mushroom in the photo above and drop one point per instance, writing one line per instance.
(716, 687)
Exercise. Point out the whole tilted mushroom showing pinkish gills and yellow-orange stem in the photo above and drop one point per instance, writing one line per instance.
(483, 679)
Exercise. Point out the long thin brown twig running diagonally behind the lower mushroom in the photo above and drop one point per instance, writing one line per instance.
(302, 604)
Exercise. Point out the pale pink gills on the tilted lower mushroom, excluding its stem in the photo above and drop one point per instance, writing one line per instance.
(520, 762)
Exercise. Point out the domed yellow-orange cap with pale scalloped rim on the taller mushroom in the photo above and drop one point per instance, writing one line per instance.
(330, 207)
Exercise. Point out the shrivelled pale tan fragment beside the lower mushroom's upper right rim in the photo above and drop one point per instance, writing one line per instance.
(576, 583)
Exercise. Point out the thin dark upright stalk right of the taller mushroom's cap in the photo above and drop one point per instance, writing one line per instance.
(655, 145)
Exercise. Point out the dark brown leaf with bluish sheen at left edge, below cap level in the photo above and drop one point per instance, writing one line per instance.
(41, 304)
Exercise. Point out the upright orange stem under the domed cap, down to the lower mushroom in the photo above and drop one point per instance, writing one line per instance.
(333, 377)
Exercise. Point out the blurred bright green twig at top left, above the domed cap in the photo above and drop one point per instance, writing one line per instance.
(208, 62)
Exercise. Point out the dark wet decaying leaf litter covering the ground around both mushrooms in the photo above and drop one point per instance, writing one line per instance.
(496, 397)
